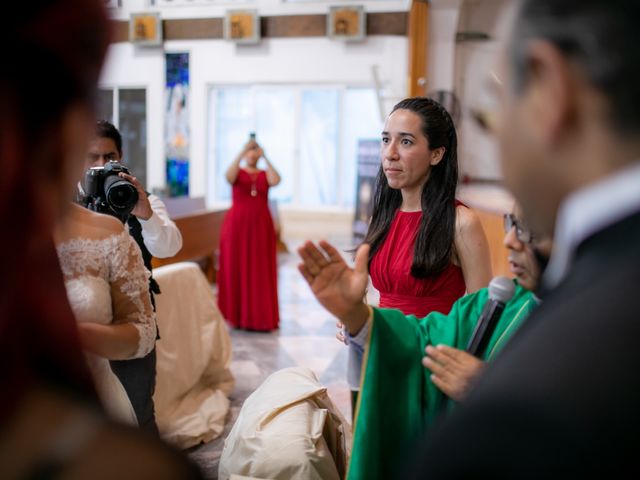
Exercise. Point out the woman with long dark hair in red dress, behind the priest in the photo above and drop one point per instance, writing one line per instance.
(427, 249)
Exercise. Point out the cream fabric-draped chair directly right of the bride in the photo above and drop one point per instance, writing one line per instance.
(194, 356)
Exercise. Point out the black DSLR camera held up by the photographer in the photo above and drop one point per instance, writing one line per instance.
(106, 192)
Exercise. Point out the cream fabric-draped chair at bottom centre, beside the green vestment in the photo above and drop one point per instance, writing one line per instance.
(287, 429)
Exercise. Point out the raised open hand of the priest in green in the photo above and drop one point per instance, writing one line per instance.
(337, 287)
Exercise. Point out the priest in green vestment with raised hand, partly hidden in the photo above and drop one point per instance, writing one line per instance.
(399, 398)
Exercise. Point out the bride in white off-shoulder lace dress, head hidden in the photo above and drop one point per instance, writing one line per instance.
(108, 289)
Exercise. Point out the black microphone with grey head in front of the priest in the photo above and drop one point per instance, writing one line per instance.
(501, 289)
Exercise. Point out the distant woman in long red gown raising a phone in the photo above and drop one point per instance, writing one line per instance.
(247, 280)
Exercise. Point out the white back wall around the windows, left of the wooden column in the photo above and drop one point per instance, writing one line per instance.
(313, 60)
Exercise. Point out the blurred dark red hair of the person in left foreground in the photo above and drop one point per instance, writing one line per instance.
(57, 49)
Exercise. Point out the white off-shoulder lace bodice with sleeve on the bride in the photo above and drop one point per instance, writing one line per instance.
(107, 283)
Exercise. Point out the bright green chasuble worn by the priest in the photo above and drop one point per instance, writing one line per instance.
(397, 400)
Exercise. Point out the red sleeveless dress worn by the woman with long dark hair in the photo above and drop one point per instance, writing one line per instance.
(390, 272)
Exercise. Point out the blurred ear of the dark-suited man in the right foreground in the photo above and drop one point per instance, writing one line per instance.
(550, 92)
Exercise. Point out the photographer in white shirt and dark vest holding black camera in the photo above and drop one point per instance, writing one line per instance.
(113, 190)
